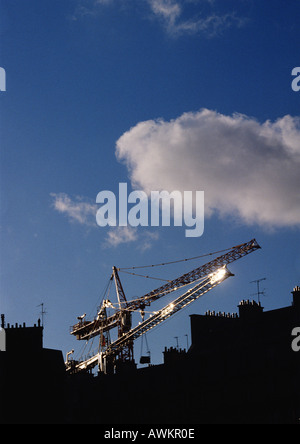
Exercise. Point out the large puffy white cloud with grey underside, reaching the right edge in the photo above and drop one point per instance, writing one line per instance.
(247, 169)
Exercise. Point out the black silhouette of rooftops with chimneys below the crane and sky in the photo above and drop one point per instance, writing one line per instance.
(240, 369)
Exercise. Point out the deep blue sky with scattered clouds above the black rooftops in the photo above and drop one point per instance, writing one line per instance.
(97, 93)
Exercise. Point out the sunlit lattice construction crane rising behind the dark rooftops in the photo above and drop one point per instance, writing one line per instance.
(204, 278)
